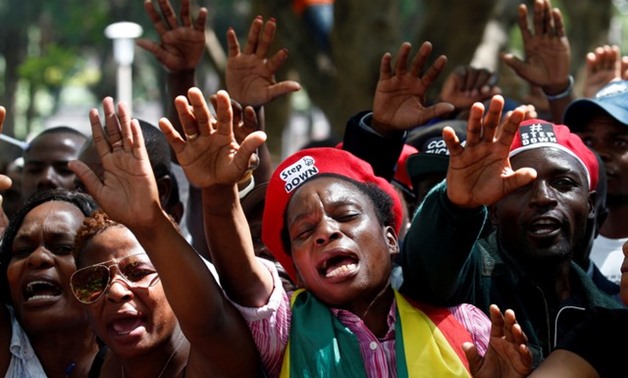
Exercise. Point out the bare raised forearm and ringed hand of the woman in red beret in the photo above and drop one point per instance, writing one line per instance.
(215, 162)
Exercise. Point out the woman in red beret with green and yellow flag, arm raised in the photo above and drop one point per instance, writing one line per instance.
(333, 225)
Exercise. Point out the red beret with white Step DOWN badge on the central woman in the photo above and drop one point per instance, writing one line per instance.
(301, 167)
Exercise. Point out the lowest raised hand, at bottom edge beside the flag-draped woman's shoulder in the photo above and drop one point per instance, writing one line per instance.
(508, 355)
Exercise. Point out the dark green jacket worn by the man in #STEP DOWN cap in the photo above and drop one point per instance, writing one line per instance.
(445, 263)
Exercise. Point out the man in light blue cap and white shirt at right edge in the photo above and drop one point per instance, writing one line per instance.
(602, 123)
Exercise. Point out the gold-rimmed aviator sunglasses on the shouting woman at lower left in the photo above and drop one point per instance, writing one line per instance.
(89, 284)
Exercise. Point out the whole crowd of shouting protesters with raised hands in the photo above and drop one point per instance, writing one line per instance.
(468, 236)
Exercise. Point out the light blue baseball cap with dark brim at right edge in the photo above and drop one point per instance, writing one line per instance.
(611, 99)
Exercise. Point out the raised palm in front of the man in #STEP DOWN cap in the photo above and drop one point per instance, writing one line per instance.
(480, 173)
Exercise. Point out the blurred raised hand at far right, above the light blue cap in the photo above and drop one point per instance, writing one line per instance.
(603, 65)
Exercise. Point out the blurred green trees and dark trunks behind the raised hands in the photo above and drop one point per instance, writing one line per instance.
(53, 43)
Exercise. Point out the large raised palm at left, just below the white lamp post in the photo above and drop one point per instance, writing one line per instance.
(127, 192)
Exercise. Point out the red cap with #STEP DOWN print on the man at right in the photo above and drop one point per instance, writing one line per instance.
(536, 133)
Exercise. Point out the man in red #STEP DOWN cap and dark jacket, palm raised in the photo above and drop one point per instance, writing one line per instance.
(536, 182)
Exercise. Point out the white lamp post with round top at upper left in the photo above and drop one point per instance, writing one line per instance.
(123, 34)
